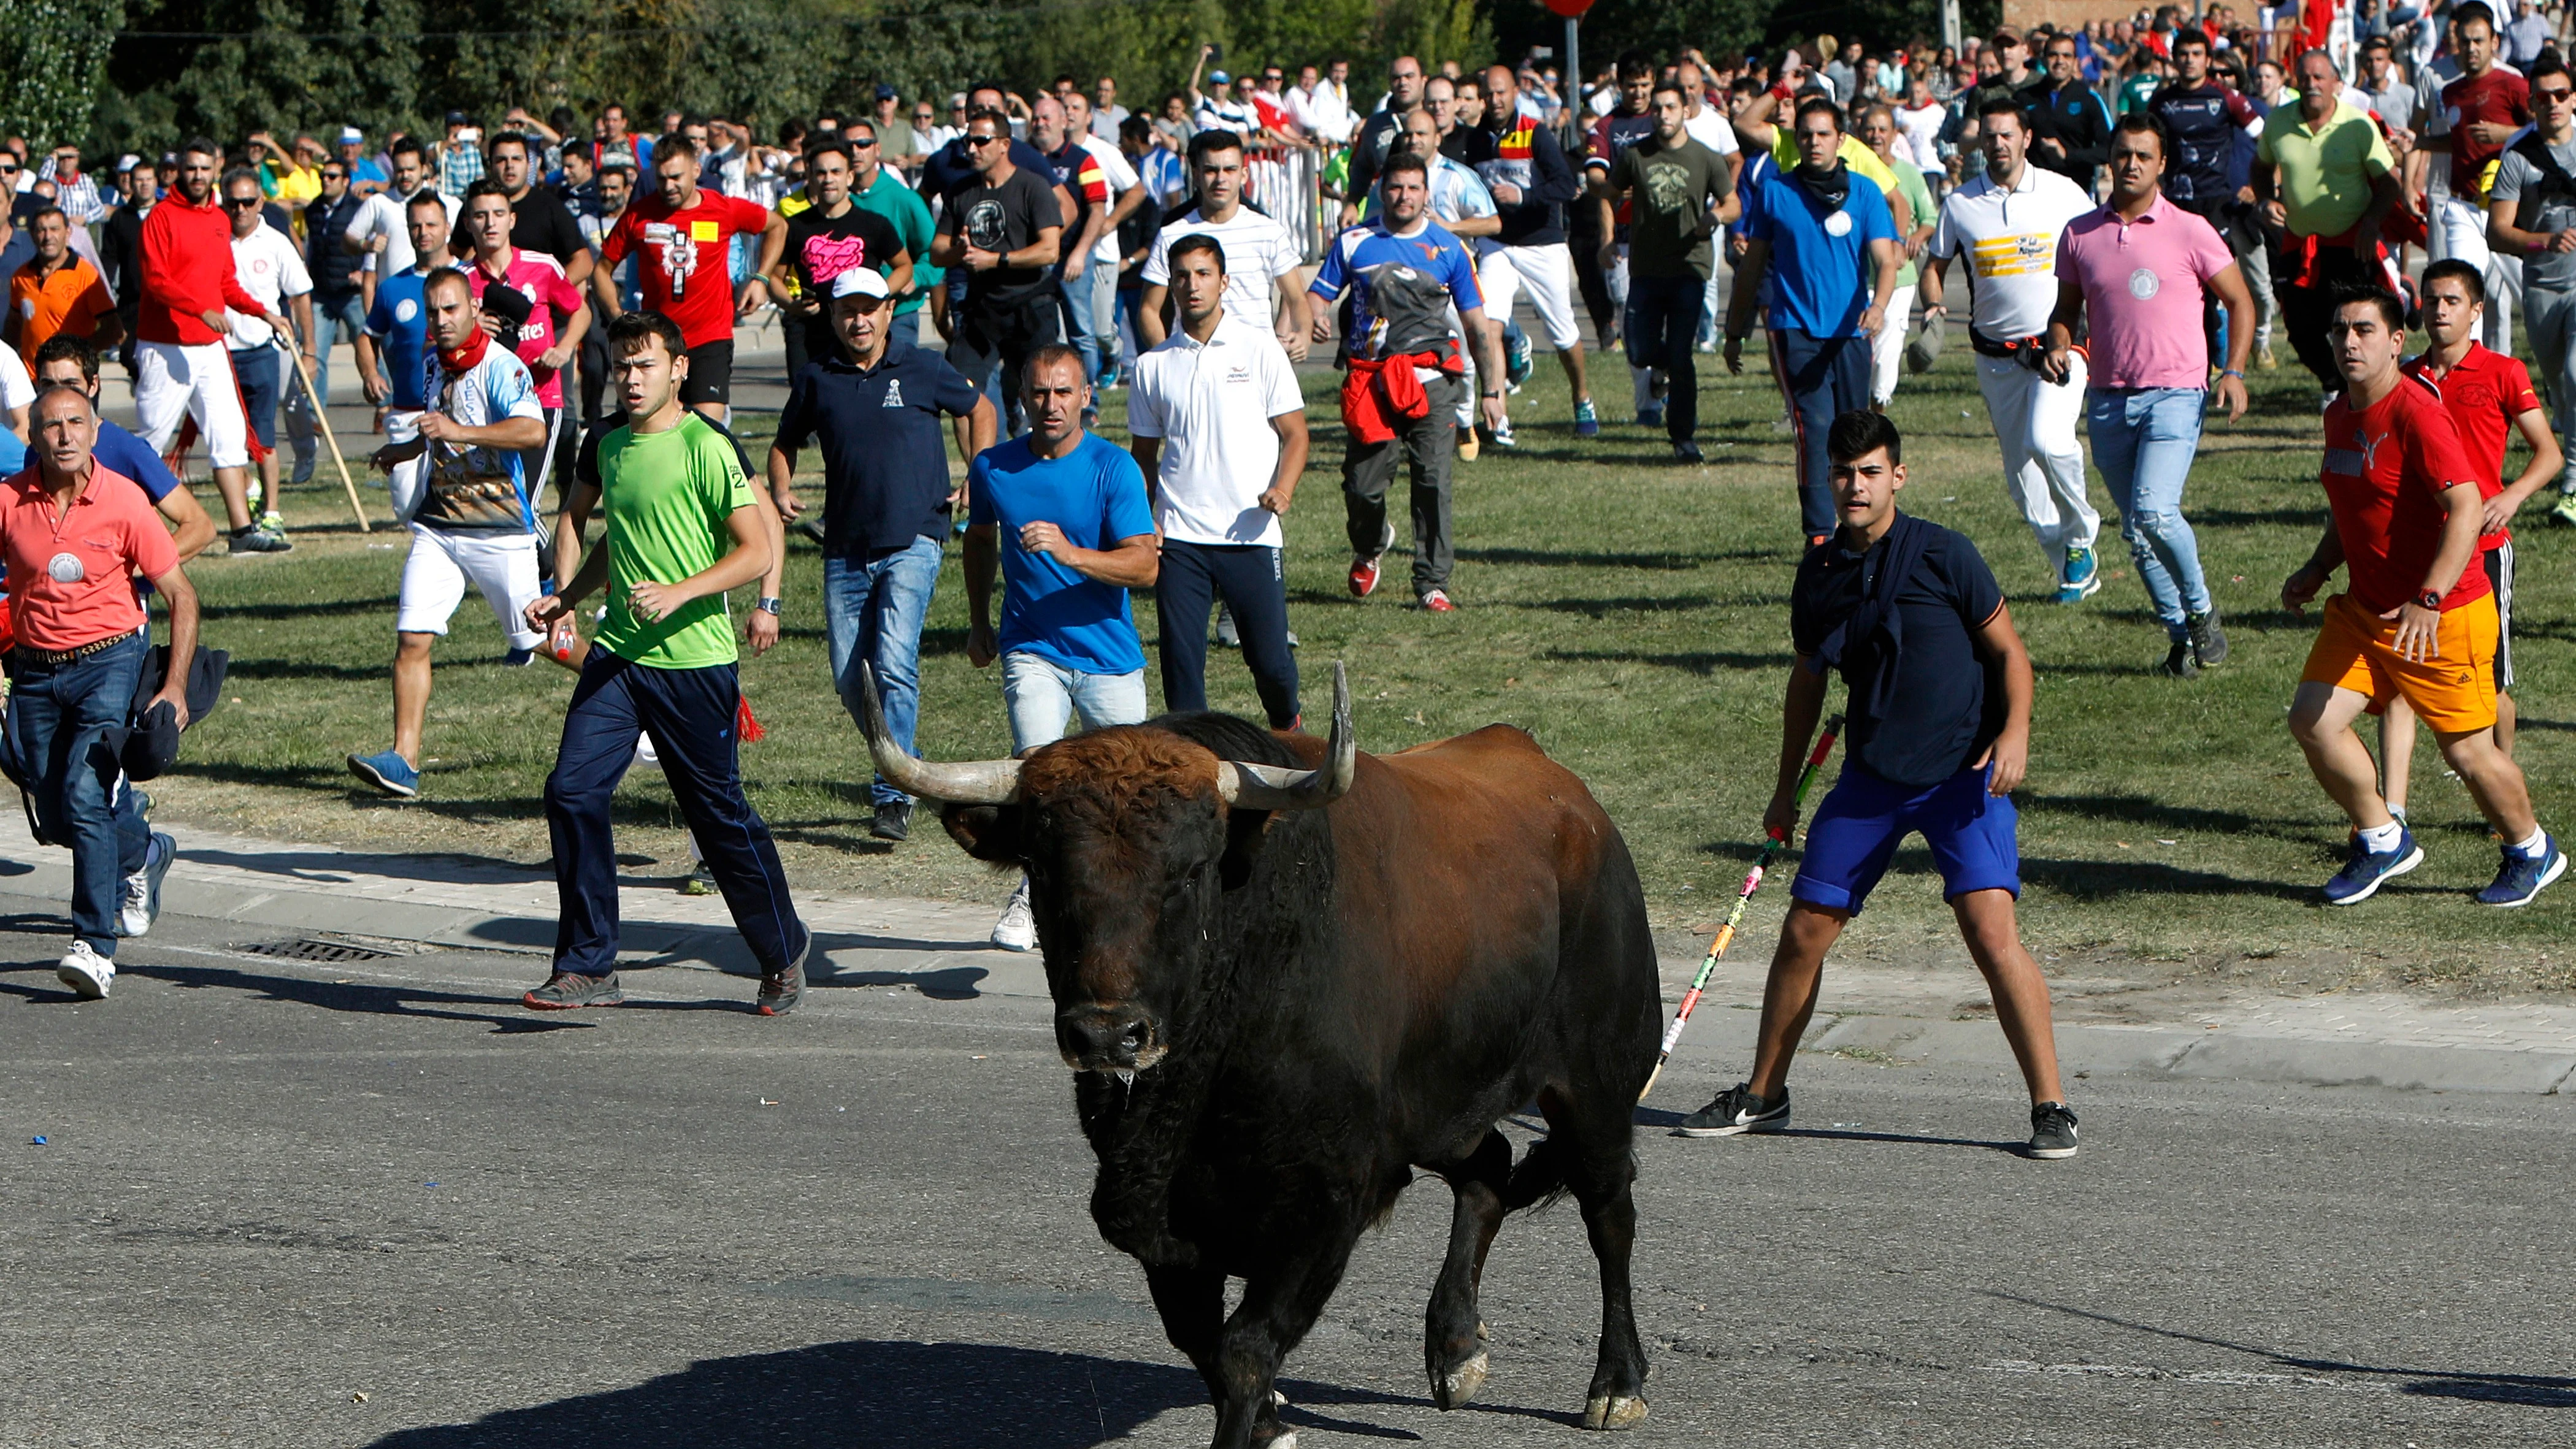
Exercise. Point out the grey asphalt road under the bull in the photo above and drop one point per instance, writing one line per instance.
(380, 1206)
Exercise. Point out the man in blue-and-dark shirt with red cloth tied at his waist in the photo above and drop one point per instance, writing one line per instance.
(1408, 372)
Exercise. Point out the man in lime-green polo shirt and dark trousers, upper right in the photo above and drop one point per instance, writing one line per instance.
(2327, 179)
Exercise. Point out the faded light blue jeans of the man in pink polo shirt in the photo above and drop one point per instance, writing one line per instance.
(2145, 444)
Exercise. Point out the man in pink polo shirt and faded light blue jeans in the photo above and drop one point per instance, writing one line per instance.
(2142, 272)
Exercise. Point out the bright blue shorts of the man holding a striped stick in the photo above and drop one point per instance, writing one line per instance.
(1861, 822)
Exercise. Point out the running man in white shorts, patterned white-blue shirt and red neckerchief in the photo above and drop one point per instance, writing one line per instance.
(462, 488)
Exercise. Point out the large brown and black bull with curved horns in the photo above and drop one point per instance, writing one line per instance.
(1289, 974)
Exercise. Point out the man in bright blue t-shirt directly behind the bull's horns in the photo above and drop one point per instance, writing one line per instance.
(1081, 537)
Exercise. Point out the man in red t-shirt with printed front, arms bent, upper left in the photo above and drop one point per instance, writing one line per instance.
(684, 243)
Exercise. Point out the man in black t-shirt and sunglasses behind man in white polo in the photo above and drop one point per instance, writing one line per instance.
(1003, 233)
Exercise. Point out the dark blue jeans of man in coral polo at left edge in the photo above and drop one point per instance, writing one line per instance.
(55, 722)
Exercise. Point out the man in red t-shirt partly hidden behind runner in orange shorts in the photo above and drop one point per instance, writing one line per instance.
(2490, 398)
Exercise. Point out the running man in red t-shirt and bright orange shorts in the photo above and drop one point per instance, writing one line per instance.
(2418, 619)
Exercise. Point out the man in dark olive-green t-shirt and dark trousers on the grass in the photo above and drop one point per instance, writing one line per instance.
(1678, 194)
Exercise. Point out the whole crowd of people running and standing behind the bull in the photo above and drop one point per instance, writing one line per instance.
(563, 308)
